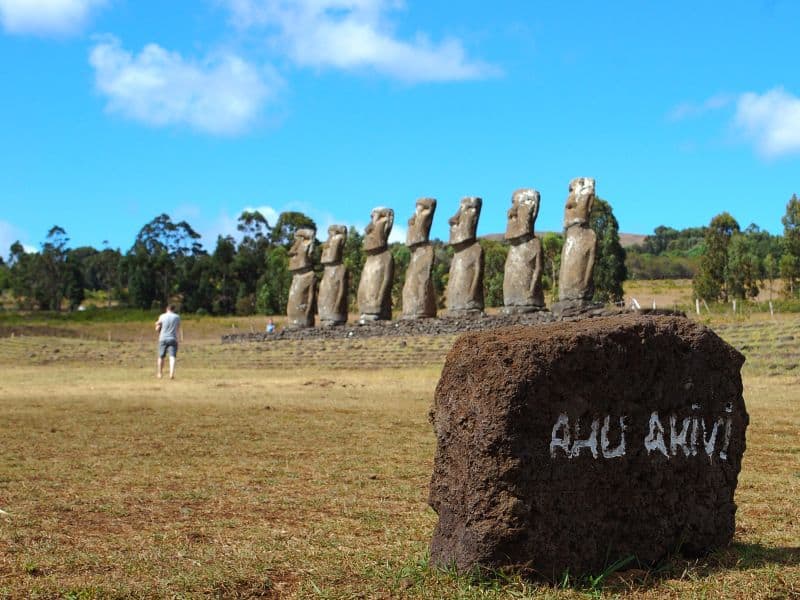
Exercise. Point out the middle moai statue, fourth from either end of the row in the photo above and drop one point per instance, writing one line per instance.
(419, 299)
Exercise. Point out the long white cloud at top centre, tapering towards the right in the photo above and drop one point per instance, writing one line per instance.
(354, 35)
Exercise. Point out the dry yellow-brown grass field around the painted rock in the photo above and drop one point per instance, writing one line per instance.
(247, 478)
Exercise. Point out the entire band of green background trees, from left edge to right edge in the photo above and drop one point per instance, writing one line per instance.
(167, 263)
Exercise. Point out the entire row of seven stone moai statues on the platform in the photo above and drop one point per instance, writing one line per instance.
(522, 278)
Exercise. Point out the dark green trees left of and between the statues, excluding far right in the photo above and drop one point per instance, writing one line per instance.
(167, 263)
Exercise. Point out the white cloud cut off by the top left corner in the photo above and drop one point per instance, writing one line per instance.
(44, 17)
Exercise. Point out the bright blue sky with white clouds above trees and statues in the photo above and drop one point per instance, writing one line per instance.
(113, 111)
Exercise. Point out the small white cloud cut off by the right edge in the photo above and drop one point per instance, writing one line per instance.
(770, 120)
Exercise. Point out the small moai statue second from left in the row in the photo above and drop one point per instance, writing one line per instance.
(333, 287)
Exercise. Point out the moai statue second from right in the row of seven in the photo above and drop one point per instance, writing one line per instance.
(522, 277)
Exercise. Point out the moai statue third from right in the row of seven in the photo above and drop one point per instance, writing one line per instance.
(465, 284)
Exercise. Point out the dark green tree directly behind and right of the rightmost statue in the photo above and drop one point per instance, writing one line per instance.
(609, 268)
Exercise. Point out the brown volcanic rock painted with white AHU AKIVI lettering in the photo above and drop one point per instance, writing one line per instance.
(572, 445)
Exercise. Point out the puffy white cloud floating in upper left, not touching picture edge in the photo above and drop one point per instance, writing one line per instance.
(222, 94)
